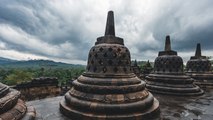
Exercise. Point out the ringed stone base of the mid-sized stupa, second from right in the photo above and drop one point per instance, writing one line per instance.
(179, 85)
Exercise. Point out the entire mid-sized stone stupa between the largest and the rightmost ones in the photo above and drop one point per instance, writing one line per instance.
(168, 76)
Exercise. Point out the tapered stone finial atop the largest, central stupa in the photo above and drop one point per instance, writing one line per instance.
(110, 27)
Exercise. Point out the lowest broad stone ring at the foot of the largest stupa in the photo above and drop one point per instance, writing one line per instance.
(150, 113)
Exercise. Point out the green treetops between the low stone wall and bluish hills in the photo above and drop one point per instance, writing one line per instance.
(12, 76)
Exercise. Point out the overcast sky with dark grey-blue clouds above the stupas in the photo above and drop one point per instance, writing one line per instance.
(65, 30)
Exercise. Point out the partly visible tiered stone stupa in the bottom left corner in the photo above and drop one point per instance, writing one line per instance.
(12, 107)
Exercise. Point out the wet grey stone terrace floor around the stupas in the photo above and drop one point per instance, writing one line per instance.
(172, 107)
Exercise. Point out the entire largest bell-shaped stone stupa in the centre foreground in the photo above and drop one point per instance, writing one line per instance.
(109, 90)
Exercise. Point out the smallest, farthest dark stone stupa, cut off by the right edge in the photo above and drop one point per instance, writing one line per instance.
(199, 68)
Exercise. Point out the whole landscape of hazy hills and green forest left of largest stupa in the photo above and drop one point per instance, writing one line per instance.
(13, 72)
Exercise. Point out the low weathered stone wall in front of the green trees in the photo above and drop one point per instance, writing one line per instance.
(39, 88)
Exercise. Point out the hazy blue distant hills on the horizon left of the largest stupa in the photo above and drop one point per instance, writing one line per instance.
(8, 63)
